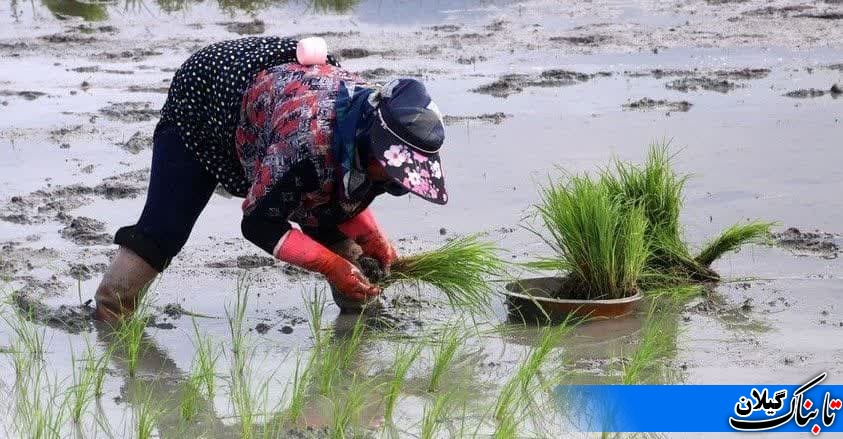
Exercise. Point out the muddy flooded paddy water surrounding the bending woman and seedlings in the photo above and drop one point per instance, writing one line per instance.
(528, 86)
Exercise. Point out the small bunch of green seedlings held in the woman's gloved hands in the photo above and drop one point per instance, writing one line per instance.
(459, 269)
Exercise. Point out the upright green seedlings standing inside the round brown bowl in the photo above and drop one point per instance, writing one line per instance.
(599, 242)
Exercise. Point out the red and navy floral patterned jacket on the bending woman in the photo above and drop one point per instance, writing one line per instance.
(284, 143)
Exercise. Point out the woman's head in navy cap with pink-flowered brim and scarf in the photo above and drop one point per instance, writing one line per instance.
(404, 139)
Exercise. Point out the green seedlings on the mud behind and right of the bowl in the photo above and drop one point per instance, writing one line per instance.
(656, 189)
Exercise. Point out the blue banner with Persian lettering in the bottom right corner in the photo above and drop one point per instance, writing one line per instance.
(808, 407)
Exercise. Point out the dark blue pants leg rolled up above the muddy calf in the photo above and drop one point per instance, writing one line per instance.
(179, 189)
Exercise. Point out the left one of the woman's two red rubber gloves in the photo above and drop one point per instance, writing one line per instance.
(301, 250)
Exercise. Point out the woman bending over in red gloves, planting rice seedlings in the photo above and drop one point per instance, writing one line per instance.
(310, 144)
